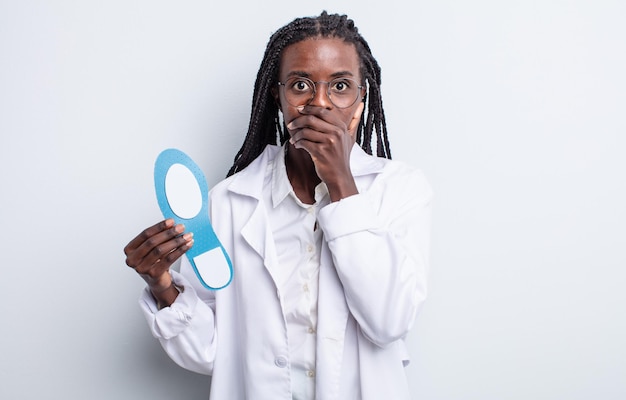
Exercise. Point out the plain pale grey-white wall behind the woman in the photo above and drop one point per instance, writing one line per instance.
(514, 109)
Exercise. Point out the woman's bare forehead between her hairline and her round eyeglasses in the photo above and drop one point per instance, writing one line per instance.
(319, 58)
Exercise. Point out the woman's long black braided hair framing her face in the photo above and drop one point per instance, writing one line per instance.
(265, 126)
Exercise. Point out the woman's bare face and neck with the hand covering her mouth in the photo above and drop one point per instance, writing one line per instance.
(322, 135)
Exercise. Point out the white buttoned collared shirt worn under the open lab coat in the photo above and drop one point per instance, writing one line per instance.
(298, 243)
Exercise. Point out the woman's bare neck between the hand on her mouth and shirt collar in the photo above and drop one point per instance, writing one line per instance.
(301, 173)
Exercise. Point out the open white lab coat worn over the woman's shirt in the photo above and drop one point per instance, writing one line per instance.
(372, 280)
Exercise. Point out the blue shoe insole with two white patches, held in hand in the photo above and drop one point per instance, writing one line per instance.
(182, 193)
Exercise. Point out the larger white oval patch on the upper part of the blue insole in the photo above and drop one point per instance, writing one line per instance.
(183, 191)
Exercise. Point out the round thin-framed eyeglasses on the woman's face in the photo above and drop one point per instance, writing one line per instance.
(342, 92)
